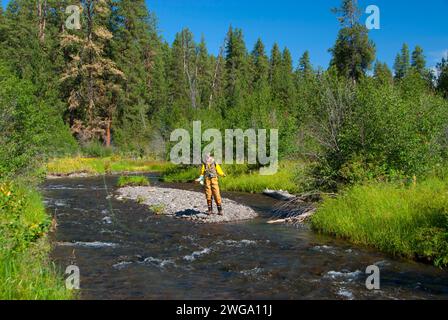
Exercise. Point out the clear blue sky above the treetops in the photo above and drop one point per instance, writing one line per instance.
(306, 24)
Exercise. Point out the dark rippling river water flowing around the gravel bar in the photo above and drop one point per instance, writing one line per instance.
(124, 252)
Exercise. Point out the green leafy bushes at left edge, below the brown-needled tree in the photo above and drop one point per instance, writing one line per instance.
(30, 128)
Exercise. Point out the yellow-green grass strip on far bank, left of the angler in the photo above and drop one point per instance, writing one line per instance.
(93, 166)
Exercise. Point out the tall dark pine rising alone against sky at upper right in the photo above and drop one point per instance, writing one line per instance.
(353, 52)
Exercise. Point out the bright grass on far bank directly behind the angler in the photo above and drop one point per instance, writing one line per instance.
(245, 178)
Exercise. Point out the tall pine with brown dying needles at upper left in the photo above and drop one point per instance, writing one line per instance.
(91, 77)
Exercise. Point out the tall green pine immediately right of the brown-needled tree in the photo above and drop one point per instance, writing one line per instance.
(134, 52)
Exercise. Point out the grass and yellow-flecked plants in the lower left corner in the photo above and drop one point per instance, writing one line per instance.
(25, 270)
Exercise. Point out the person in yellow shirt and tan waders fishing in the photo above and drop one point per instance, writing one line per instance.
(209, 177)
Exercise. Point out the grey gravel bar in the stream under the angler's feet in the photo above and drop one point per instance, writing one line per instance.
(183, 204)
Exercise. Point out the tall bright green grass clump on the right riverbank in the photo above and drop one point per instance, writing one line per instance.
(410, 222)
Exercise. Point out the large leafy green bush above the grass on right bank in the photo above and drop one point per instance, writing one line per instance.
(377, 131)
